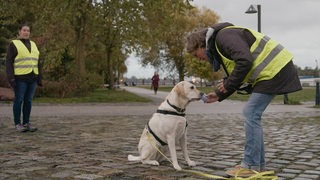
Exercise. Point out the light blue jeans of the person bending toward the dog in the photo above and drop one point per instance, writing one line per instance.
(254, 145)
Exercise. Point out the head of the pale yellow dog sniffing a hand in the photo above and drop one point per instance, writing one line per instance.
(187, 91)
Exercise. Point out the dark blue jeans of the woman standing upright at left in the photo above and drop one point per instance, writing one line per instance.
(23, 92)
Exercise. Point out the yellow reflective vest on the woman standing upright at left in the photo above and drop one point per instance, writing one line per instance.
(25, 61)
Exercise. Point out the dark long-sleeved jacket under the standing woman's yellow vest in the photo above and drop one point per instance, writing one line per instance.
(12, 52)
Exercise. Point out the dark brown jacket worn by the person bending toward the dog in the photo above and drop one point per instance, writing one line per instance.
(235, 43)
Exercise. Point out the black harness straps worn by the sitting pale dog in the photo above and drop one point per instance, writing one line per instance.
(166, 112)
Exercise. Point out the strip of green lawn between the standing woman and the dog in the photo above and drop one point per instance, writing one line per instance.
(98, 96)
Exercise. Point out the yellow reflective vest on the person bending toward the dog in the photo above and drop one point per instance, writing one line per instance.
(269, 58)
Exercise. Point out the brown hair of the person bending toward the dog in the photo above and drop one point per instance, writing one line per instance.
(196, 40)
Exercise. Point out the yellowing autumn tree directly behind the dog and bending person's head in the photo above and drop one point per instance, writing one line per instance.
(168, 24)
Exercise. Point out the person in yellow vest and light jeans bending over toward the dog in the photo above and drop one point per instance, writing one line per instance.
(254, 64)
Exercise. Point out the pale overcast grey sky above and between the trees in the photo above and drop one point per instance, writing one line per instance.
(293, 23)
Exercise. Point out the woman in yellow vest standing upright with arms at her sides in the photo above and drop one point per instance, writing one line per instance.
(23, 73)
